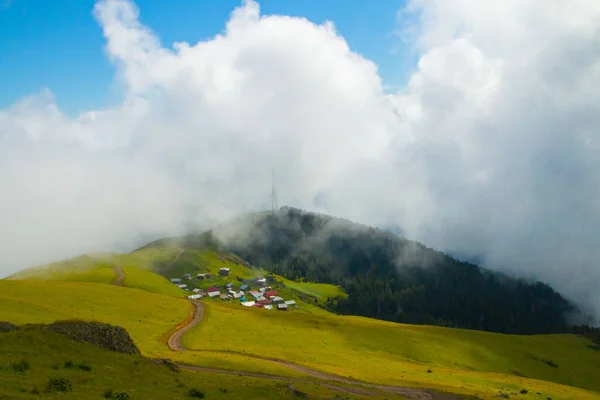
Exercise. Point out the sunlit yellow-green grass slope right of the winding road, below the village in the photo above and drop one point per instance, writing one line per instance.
(377, 351)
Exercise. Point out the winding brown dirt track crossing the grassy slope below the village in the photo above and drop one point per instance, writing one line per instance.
(196, 315)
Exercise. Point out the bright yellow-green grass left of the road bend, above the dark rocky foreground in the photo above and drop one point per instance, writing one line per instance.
(146, 316)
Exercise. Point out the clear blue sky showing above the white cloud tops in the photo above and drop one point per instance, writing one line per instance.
(59, 45)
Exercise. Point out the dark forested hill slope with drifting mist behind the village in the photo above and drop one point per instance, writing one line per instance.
(386, 276)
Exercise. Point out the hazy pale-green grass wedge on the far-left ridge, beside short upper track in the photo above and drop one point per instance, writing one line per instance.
(89, 268)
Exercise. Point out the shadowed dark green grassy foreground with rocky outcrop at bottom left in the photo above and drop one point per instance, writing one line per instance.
(46, 353)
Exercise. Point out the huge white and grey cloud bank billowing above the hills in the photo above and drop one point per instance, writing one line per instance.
(491, 149)
